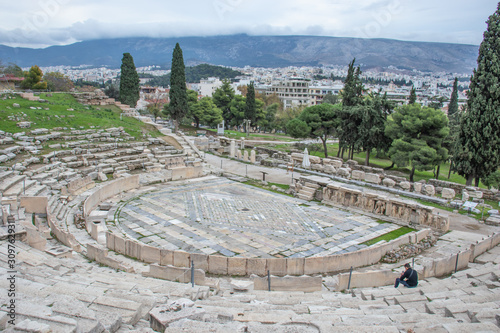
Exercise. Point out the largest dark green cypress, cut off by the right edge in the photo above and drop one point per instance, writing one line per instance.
(477, 152)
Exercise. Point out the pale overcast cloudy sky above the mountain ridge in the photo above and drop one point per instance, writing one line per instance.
(41, 23)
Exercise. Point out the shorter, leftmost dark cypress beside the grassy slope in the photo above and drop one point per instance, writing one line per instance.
(129, 81)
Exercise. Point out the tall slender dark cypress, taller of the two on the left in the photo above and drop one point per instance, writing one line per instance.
(178, 106)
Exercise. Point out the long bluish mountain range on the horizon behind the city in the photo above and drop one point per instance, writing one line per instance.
(256, 51)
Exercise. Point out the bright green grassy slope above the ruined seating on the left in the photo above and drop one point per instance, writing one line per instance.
(54, 114)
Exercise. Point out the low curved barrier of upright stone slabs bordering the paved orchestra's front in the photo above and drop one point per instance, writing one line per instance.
(220, 265)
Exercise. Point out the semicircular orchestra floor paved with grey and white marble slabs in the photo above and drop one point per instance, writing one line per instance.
(219, 216)
